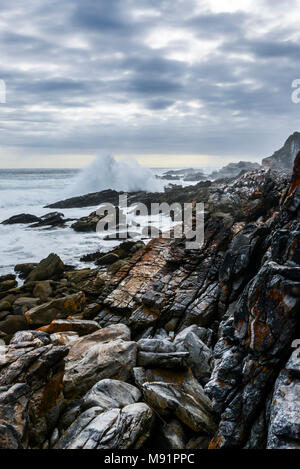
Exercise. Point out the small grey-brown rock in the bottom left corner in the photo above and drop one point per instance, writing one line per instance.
(14, 416)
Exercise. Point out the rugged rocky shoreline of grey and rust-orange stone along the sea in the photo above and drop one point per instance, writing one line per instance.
(161, 347)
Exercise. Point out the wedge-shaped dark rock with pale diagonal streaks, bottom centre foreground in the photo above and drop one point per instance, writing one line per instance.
(179, 394)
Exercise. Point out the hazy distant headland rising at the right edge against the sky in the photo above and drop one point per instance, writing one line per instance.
(284, 158)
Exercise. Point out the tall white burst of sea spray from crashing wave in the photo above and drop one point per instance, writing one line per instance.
(108, 173)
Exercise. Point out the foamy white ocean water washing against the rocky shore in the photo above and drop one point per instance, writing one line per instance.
(30, 190)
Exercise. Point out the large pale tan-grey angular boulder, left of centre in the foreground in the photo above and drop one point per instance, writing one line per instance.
(107, 353)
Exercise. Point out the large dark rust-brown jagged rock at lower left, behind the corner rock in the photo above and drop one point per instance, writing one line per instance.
(32, 360)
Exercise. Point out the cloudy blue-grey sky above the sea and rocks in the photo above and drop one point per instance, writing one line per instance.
(168, 82)
